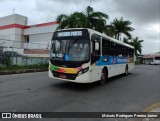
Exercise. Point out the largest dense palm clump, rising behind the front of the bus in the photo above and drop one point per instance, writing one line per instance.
(89, 19)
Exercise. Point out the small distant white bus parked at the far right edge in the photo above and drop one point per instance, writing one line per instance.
(151, 59)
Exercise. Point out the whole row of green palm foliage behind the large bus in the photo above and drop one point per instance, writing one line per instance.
(97, 21)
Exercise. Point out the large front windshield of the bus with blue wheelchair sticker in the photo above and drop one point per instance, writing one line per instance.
(70, 50)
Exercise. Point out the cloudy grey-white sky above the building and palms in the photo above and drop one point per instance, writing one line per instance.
(144, 14)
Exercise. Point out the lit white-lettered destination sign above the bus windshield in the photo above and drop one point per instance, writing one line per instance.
(69, 33)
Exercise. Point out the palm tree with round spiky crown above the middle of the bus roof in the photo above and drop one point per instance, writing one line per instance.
(120, 26)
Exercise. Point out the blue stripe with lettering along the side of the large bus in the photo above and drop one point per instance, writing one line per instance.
(107, 60)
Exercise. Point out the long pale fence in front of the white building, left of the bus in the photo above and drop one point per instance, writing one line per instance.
(22, 53)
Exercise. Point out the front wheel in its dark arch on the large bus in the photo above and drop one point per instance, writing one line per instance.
(104, 76)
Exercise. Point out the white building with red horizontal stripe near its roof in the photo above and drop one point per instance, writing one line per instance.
(17, 35)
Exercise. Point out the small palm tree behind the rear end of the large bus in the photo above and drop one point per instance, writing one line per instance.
(136, 43)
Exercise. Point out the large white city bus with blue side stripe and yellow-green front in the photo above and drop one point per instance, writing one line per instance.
(85, 55)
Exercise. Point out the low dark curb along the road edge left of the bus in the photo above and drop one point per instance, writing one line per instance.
(22, 71)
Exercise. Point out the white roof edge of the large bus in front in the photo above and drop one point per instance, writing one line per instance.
(103, 35)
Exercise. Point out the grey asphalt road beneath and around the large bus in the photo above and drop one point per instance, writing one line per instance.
(36, 92)
